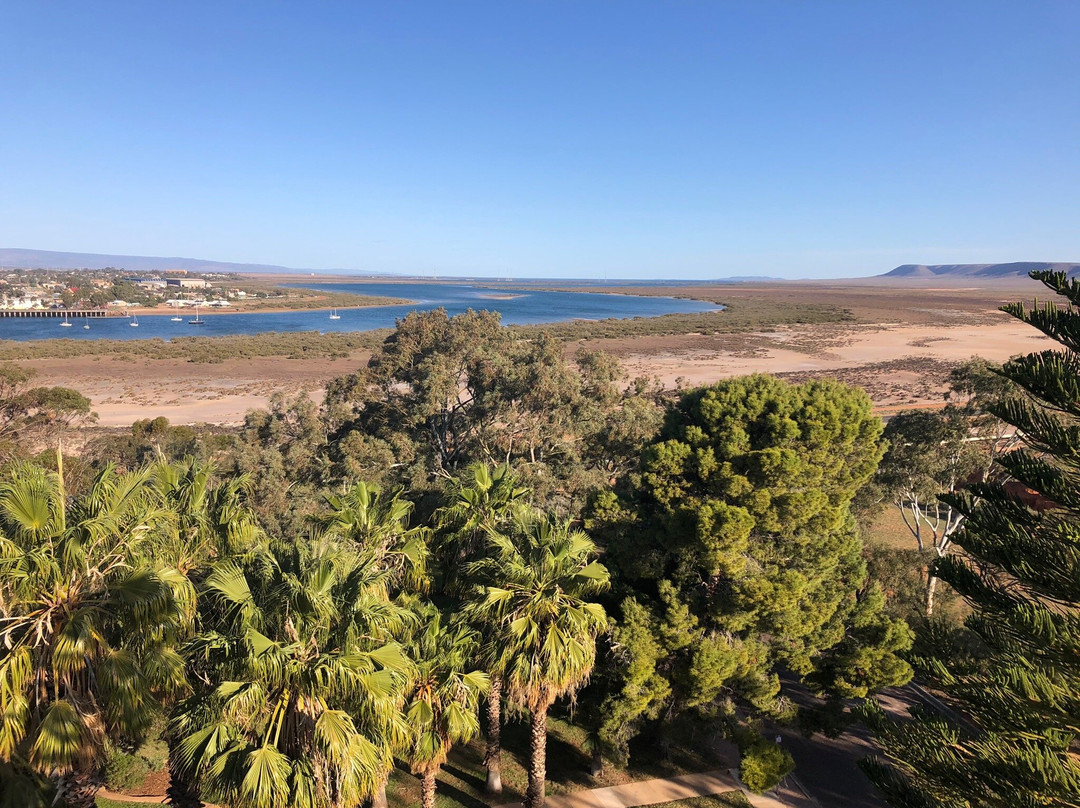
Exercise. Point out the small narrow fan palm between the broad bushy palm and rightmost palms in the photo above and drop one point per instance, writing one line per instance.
(442, 707)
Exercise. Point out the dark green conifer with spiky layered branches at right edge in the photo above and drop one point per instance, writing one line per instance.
(1020, 570)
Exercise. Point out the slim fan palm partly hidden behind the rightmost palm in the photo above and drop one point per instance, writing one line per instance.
(484, 502)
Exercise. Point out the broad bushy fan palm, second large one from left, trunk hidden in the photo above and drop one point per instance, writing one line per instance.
(309, 683)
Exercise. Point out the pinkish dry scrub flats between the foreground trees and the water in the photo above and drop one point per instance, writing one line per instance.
(898, 341)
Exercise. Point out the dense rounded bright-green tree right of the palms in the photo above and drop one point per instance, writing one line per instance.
(736, 554)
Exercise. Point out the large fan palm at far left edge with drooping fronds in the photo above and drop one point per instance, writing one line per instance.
(88, 628)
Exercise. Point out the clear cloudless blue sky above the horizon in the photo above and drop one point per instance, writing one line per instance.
(622, 140)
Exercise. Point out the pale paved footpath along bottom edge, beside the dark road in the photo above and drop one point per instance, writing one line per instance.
(669, 790)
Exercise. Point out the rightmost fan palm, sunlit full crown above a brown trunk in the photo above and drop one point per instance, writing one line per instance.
(537, 602)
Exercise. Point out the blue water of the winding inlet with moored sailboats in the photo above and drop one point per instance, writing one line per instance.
(531, 307)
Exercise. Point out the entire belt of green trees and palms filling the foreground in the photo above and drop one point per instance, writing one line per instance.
(471, 530)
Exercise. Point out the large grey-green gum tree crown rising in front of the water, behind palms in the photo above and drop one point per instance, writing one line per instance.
(444, 394)
